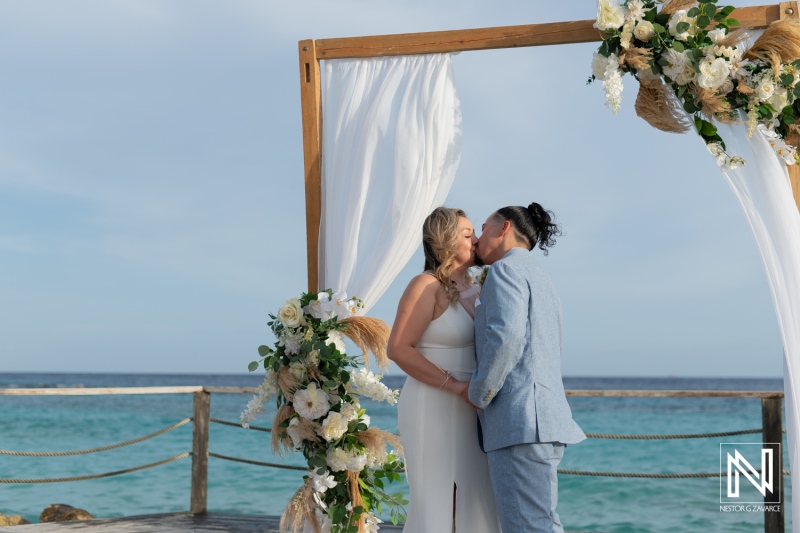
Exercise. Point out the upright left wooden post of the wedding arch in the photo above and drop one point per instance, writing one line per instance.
(311, 104)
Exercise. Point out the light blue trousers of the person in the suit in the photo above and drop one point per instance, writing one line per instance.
(525, 486)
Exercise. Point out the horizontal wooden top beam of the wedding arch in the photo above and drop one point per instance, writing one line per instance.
(493, 38)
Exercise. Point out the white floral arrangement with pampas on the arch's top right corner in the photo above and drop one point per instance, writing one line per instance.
(686, 60)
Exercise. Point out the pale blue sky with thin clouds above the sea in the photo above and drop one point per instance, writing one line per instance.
(151, 189)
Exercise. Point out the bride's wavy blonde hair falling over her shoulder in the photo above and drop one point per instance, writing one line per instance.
(440, 234)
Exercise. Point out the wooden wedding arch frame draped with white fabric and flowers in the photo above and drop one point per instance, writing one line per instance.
(312, 51)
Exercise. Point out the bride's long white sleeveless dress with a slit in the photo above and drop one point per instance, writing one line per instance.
(439, 433)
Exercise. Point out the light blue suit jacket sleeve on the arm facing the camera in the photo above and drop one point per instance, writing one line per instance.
(505, 295)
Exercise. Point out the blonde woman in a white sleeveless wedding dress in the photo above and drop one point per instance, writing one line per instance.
(433, 341)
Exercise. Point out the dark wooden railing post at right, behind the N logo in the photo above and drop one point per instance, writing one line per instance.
(772, 432)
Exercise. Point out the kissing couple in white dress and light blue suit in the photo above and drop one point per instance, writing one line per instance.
(494, 350)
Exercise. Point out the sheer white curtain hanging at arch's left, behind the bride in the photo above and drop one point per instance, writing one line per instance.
(391, 146)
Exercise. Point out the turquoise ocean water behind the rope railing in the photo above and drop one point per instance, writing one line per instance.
(599, 504)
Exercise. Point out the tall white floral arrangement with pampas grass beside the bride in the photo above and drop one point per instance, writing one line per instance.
(317, 386)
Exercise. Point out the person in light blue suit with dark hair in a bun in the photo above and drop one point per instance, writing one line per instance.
(525, 421)
